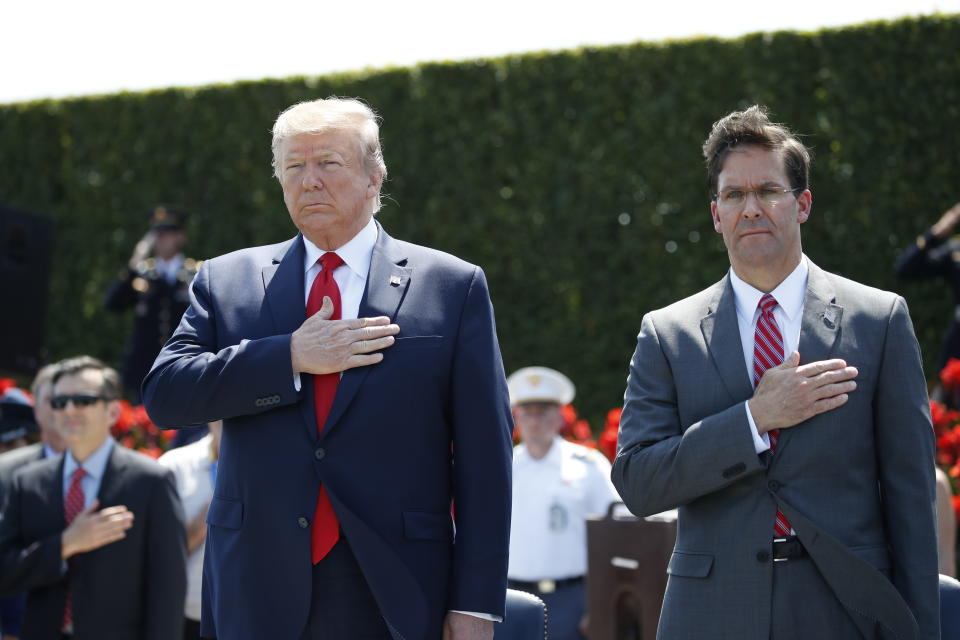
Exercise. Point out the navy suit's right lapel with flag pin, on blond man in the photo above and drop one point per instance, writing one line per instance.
(387, 283)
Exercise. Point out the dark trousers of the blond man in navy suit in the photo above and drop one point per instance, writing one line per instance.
(342, 606)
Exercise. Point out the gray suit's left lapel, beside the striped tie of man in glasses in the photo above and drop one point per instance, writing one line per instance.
(721, 333)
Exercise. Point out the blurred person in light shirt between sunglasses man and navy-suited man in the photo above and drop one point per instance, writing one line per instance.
(194, 467)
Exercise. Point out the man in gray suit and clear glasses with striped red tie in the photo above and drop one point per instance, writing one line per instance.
(791, 430)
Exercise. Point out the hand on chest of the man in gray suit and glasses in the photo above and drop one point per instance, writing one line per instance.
(790, 393)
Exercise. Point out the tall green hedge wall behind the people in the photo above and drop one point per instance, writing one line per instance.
(574, 178)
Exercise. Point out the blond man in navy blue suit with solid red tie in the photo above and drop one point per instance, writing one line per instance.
(364, 403)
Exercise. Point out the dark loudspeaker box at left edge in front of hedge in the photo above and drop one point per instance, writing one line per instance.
(26, 245)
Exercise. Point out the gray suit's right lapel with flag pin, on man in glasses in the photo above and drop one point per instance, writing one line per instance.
(819, 330)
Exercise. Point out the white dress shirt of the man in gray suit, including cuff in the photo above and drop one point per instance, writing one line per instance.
(788, 313)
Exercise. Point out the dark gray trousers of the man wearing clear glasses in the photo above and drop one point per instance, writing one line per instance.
(804, 607)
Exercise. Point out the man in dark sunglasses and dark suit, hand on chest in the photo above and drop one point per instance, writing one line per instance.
(96, 536)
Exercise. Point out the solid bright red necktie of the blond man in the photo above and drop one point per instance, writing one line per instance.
(325, 530)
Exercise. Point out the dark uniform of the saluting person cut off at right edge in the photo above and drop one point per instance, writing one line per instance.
(931, 257)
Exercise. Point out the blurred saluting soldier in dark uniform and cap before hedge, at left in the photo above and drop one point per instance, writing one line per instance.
(156, 283)
